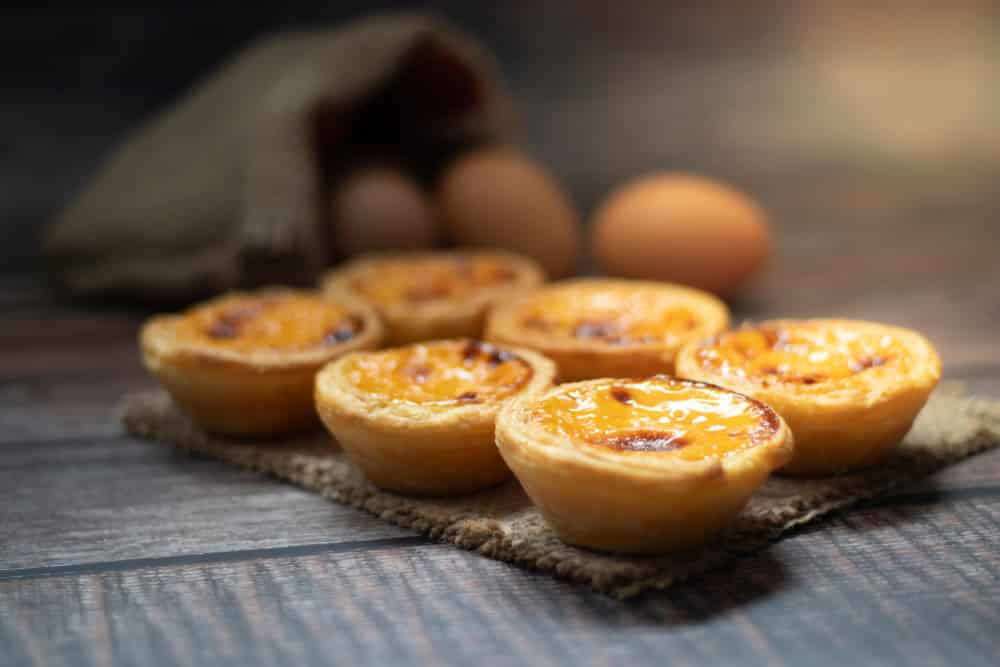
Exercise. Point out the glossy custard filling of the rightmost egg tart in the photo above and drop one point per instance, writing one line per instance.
(807, 354)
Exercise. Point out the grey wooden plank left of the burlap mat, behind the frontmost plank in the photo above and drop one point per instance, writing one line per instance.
(76, 502)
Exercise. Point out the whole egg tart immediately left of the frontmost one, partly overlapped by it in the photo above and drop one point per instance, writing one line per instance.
(419, 419)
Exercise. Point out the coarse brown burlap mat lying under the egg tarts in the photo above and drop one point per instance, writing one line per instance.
(502, 524)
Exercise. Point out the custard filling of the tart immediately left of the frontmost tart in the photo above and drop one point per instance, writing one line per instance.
(450, 372)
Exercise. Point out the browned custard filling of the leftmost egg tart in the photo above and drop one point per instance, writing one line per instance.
(288, 322)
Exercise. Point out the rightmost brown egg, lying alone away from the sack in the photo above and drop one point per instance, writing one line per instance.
(681, 228)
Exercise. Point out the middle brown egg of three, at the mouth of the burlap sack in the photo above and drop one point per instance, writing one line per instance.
(499, 198)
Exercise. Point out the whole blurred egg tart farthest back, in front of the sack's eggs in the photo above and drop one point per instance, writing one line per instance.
(427, 296)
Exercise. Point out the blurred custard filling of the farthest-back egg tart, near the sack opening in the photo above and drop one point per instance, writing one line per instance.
(420, 280)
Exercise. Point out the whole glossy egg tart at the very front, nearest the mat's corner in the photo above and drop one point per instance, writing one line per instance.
(640, 465)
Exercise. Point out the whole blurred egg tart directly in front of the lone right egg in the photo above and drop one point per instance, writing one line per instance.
(608, 328)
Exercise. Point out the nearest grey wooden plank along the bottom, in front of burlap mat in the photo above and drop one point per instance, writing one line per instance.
(912, 584)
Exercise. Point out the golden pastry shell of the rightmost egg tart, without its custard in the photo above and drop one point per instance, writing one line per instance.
(840, 426)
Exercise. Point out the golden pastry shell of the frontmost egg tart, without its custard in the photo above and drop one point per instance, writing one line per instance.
(598, 498)
